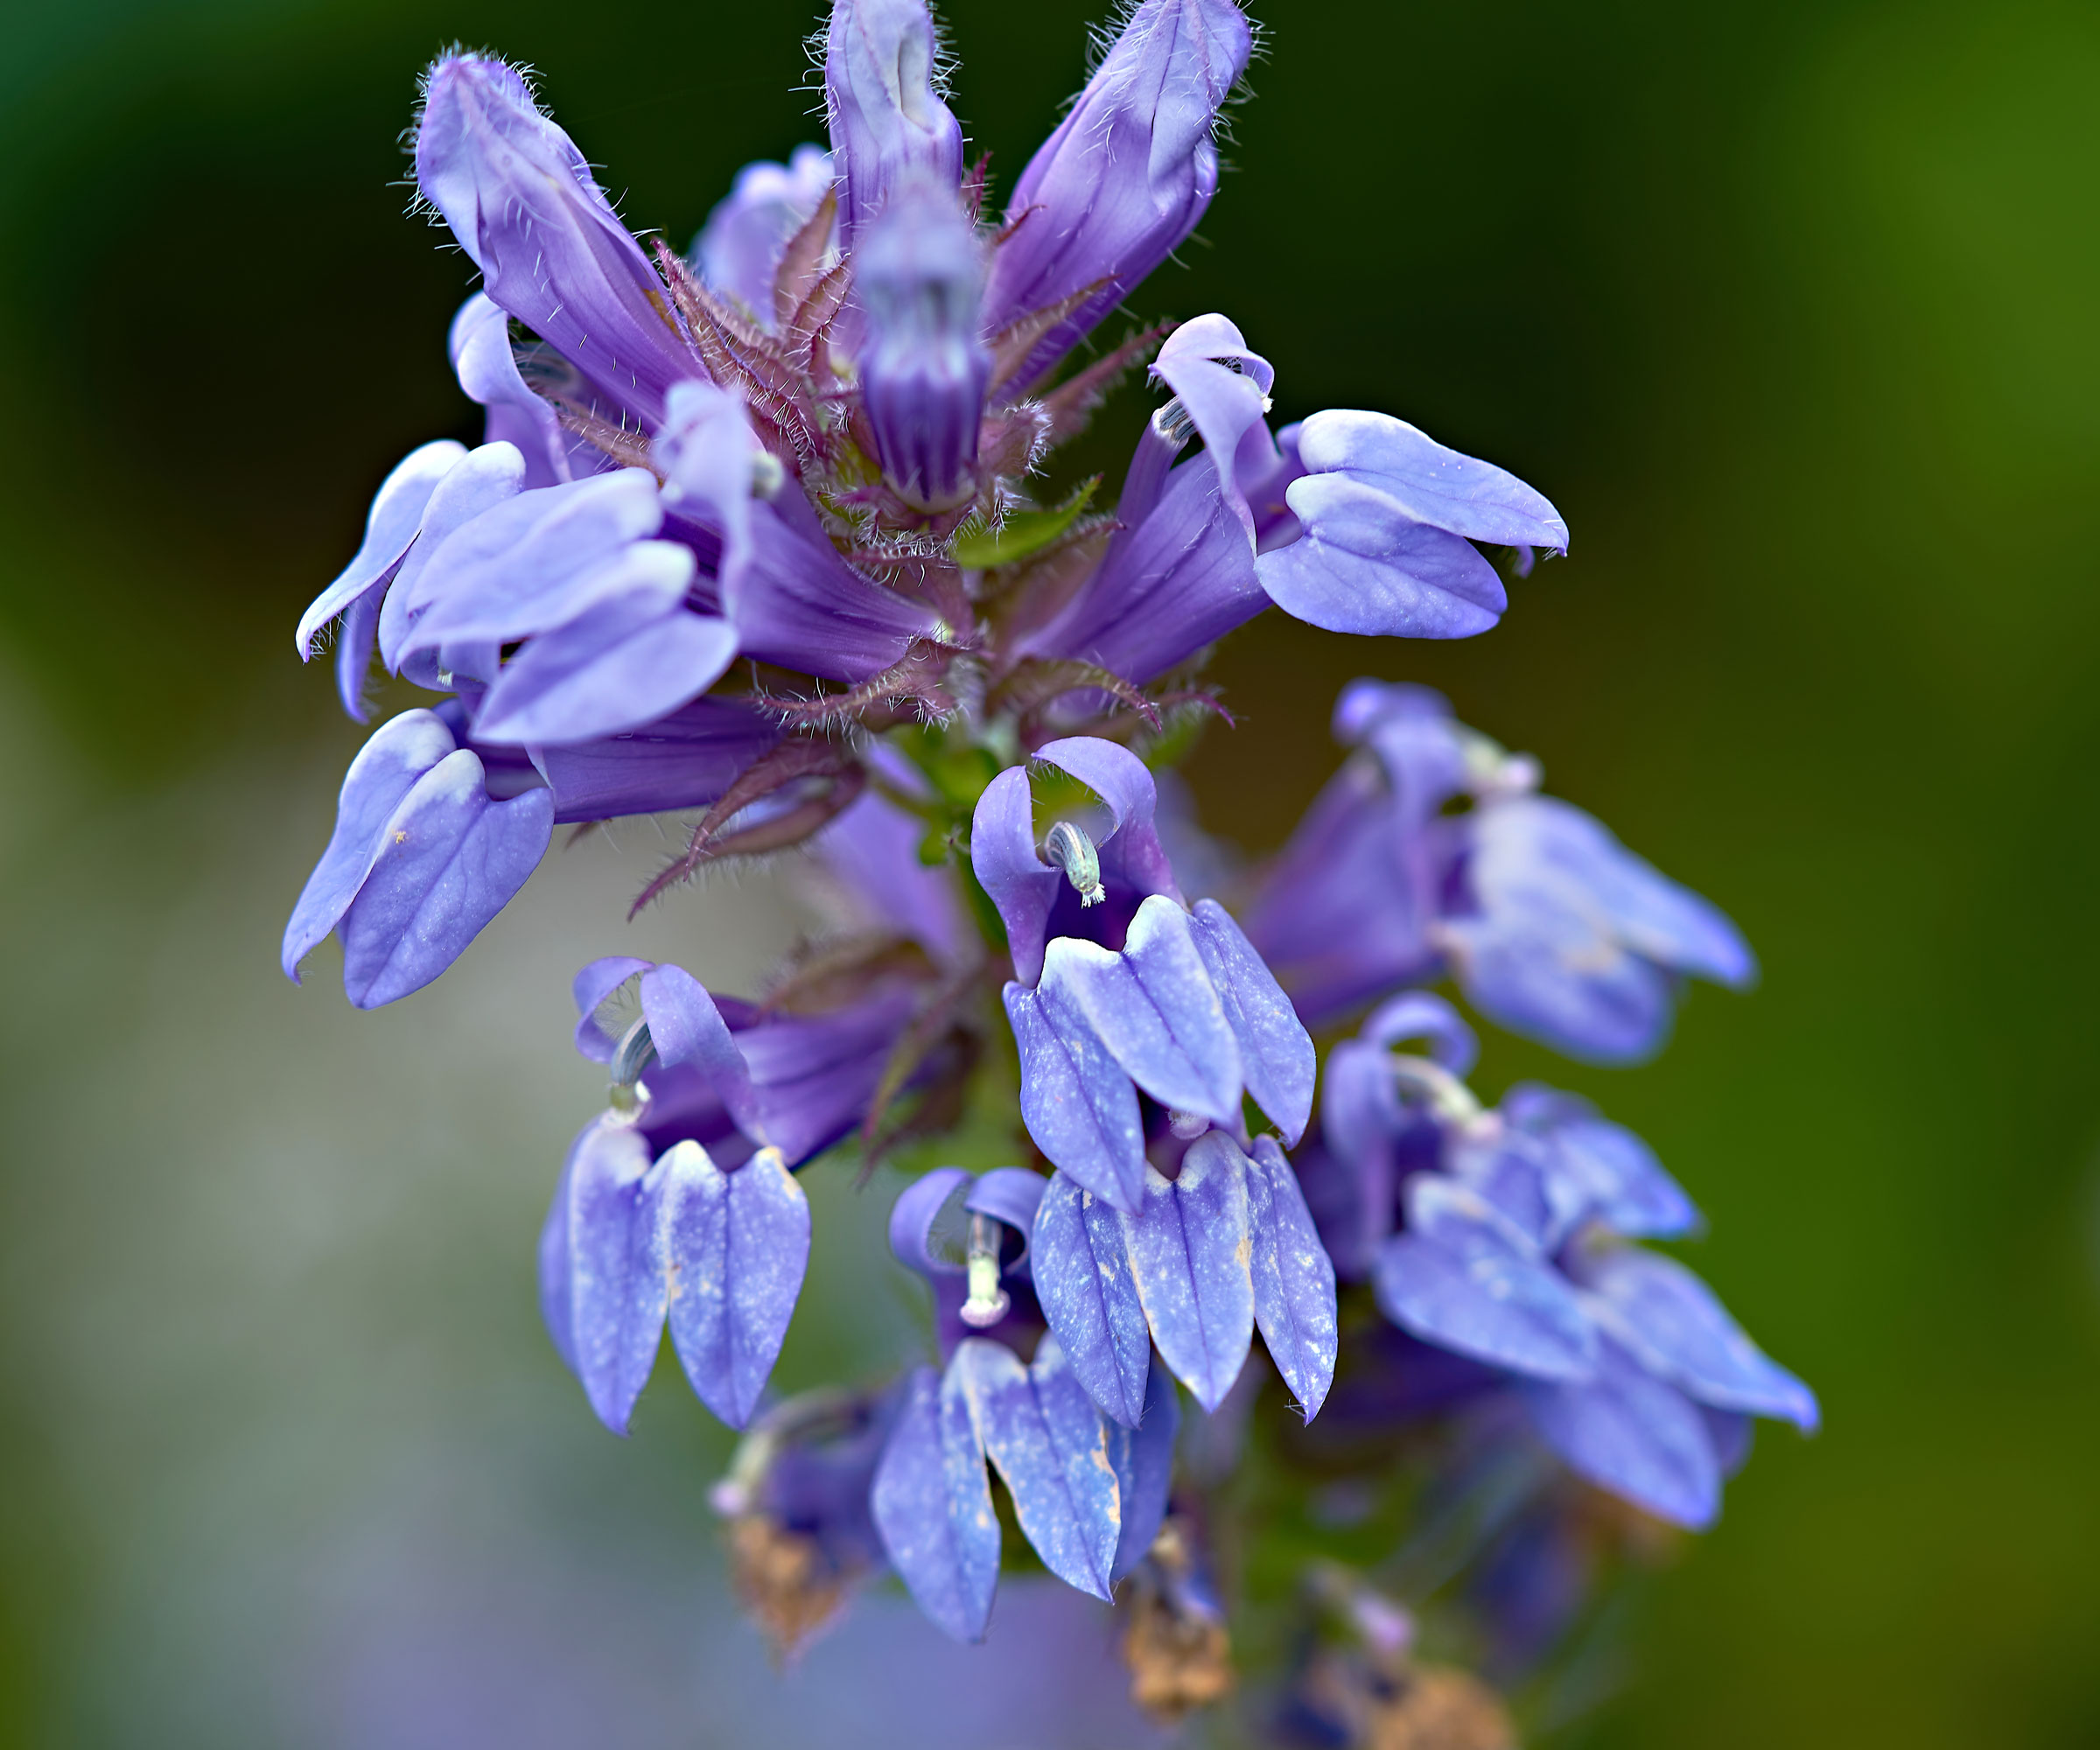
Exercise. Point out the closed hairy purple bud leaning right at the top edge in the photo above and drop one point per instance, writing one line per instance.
(1125, 180)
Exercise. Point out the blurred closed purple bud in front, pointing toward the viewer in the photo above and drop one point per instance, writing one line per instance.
(923, 367)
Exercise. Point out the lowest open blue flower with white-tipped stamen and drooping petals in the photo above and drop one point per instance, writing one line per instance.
(1089, 1493)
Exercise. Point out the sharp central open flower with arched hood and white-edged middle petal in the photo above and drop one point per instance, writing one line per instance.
(1143, 995)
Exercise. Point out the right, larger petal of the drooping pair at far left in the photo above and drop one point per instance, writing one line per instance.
(448, 862)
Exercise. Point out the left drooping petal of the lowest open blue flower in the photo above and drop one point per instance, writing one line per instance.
(933, 1512)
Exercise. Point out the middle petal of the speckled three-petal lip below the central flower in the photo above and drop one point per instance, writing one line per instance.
(1190, 1251)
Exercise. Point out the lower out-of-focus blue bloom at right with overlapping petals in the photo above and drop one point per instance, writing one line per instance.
(1507, 1238)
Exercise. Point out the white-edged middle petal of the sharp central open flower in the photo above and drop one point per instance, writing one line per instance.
(1156, 1012)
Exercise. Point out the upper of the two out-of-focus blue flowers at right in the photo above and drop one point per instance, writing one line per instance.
(1547, 923)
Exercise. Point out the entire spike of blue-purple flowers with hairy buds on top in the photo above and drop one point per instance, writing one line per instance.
(763, 535)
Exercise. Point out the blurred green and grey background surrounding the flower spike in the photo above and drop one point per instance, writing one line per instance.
(1792, 310)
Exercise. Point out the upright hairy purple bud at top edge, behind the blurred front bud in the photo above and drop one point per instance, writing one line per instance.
(889, 125)
